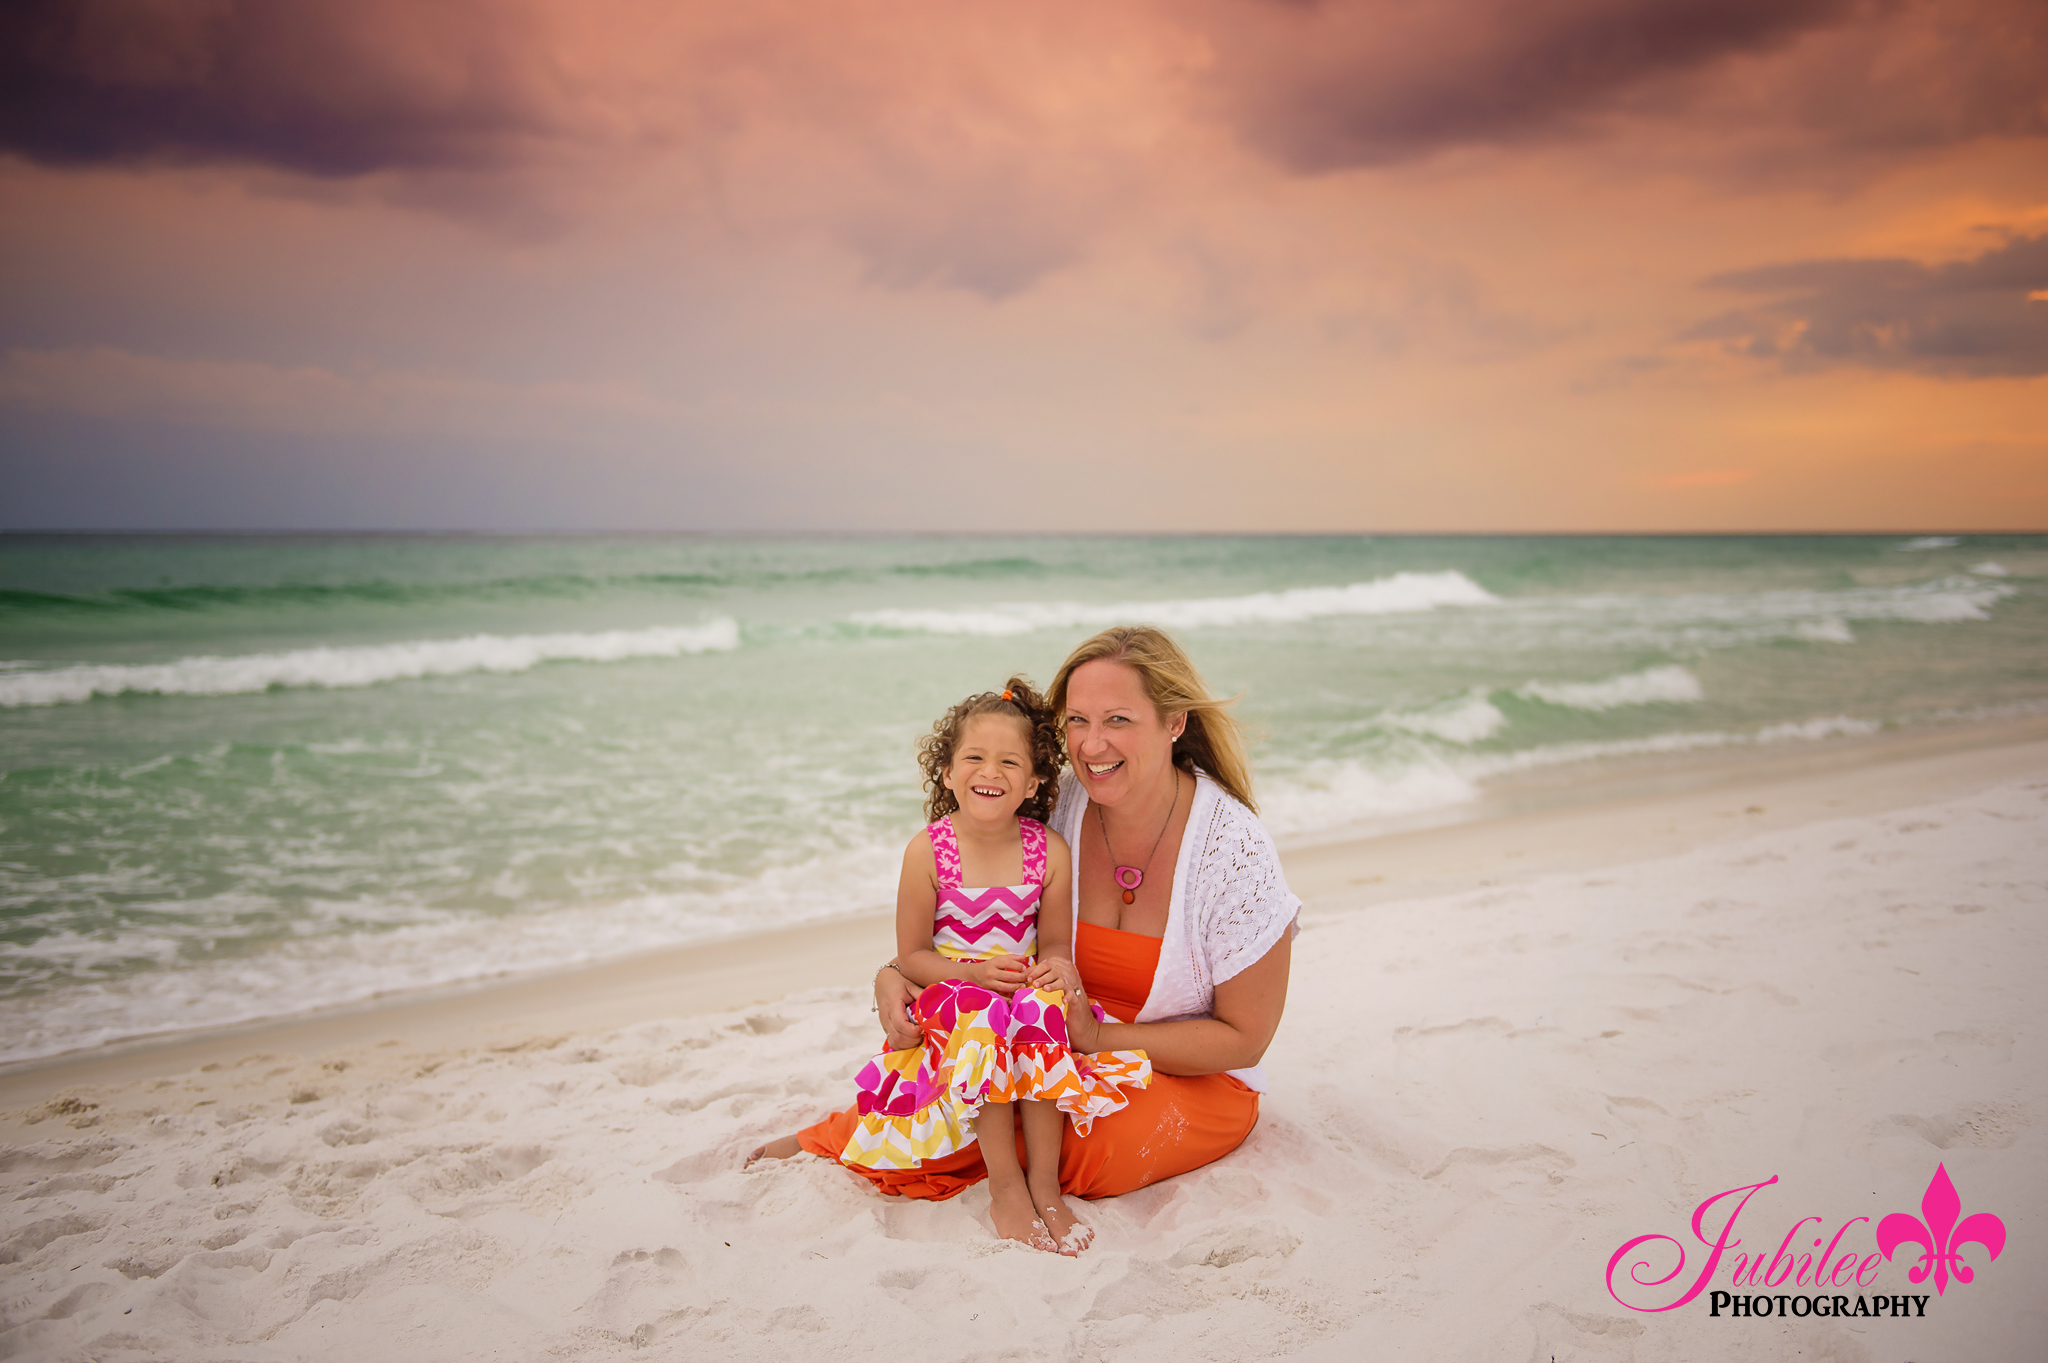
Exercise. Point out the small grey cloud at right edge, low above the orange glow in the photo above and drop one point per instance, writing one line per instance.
(1973, 318)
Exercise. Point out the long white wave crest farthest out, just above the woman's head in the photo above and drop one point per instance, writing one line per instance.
(1383, 597)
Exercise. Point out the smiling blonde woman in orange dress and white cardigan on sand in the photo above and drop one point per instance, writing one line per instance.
(1183, 926)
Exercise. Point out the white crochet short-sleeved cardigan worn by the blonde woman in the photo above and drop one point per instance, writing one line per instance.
(1230, 902)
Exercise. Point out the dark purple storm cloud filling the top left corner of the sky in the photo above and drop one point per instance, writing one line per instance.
(318, 87)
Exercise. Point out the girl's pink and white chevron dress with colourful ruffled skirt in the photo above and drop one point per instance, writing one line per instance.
(921, 1104)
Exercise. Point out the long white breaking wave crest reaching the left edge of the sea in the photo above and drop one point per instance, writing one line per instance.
(357, 664)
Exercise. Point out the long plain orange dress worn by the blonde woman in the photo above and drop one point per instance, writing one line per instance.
(1177, 1125)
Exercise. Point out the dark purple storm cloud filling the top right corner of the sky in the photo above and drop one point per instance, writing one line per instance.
(1359, 83)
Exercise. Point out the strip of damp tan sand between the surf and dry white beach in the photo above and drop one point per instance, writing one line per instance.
(1525, 826)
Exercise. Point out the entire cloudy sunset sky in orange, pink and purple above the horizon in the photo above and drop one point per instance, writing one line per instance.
(972, 267)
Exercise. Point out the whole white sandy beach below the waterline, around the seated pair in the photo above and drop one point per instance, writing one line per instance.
(1510, 1049)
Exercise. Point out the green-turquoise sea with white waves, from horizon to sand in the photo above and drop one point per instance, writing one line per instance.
(249, 777)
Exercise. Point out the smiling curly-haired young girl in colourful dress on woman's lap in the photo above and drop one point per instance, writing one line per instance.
(992, 1037)
